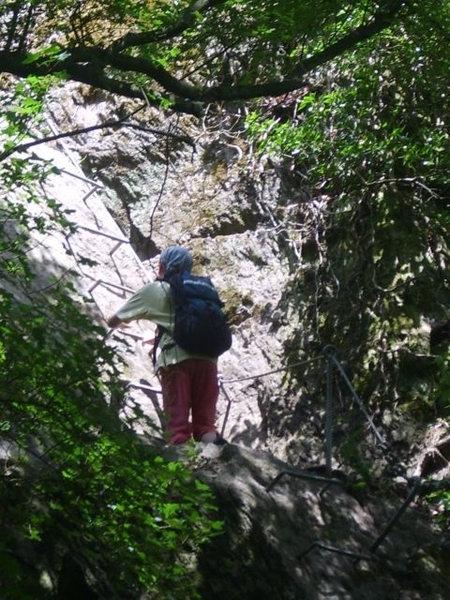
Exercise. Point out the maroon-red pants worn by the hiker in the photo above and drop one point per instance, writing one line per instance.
(190, 389)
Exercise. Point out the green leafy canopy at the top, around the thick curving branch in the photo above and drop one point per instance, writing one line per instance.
(173, 54)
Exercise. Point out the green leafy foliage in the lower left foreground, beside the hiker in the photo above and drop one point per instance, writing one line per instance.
(76, 481)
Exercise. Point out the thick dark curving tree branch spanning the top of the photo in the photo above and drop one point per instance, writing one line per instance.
(89, 65)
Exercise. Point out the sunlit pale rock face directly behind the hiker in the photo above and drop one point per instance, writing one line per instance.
(146, 185)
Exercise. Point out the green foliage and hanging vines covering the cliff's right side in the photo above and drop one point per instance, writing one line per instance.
(366, 146)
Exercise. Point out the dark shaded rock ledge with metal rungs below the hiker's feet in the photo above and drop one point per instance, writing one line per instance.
(293, 534)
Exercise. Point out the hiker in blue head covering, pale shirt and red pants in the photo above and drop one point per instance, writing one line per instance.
(188, 380)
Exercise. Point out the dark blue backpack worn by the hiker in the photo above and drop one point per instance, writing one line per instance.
(200, 325)
